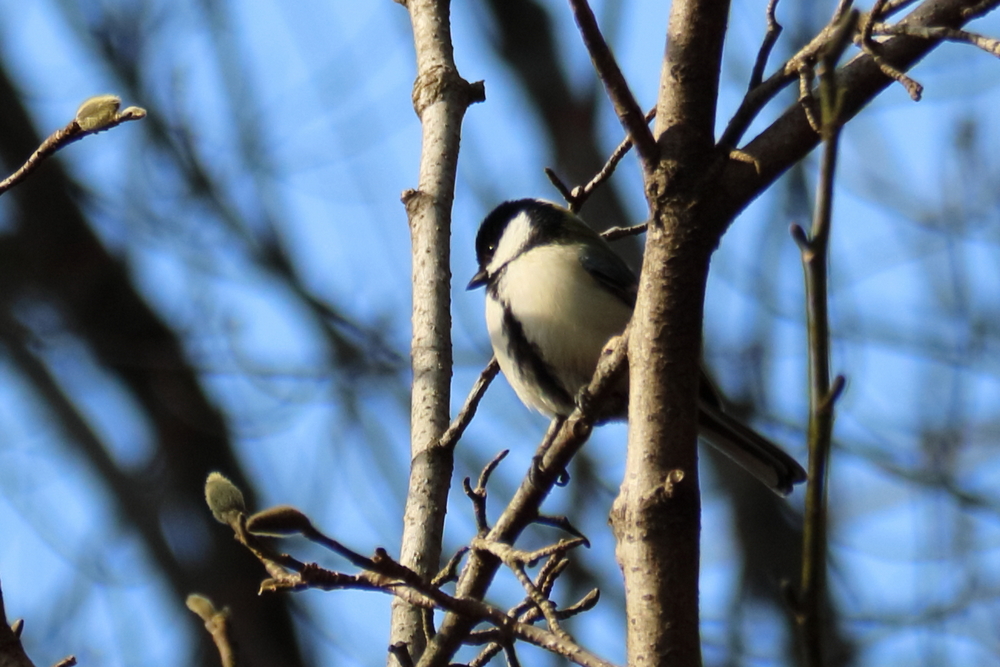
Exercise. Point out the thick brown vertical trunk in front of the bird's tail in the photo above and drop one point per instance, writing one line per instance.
(657, 515)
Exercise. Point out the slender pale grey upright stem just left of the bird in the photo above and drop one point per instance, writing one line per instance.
(440, 98)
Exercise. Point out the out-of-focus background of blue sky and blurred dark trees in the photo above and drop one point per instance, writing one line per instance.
(246, 309)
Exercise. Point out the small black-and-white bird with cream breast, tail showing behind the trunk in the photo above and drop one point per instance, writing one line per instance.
(556, 293)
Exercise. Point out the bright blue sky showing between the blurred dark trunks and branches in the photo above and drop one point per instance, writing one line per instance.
(329, 84)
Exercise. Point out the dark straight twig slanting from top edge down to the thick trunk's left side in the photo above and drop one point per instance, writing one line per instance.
(627, 109)
